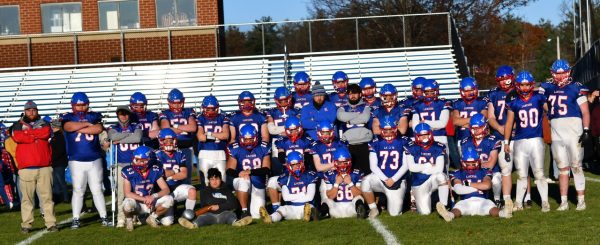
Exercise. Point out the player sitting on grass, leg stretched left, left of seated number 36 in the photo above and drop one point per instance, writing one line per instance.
(298, 189)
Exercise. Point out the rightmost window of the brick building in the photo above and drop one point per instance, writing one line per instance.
(171, 13)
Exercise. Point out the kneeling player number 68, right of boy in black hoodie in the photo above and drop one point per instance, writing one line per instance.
(249, 163)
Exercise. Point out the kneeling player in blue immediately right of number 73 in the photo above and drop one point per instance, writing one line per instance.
(425, 159)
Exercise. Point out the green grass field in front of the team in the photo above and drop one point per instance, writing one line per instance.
(529, 226)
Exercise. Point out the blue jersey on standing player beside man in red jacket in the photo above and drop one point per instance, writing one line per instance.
(82, 147)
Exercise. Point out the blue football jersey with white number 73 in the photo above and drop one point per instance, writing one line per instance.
(389, 154)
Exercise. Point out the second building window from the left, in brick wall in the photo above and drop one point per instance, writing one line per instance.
(61, 17)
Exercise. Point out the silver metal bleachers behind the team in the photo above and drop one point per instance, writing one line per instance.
(110, 85)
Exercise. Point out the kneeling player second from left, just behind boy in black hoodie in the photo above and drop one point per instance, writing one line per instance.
(173, 162)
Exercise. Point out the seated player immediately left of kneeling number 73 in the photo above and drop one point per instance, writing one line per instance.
(344, 198)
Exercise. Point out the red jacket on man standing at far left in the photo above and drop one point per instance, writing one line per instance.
(33, 148)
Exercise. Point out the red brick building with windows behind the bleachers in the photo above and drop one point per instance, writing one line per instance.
(65, 32)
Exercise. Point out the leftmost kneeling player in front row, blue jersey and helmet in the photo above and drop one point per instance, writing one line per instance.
(139, 182)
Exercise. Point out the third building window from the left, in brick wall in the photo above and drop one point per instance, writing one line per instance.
(119, 14)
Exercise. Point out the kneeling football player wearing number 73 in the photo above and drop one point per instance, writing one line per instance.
(388, 169)
